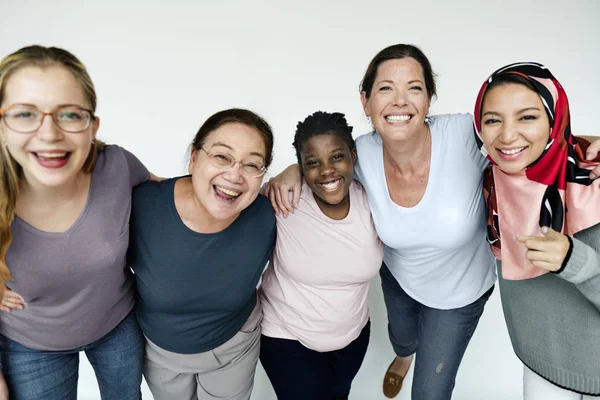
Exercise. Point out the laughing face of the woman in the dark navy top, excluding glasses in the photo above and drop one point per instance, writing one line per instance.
(221, 192)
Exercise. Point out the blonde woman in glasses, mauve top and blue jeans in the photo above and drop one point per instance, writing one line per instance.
(64, 219)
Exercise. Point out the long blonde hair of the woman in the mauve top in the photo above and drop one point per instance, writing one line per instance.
(10, 171)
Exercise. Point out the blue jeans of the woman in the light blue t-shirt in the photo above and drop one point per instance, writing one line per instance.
(438, 337)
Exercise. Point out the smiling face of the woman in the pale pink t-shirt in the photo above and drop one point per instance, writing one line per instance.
(328, 168)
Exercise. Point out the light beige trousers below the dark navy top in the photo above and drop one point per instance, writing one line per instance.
(226, 372)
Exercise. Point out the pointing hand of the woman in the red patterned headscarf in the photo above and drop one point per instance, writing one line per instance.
(548, 251)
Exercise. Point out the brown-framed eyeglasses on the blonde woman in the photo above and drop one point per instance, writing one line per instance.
(25, 118)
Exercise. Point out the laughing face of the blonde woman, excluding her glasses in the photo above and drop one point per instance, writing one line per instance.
(49, 157)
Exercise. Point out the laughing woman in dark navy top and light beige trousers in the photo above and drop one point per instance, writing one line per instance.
(198, 246)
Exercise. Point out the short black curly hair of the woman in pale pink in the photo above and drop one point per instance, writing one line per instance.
(322, 123)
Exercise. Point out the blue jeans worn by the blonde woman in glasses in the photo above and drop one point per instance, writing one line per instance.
(117, 359)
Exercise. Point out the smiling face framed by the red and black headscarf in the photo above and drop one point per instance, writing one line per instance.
(514, 126)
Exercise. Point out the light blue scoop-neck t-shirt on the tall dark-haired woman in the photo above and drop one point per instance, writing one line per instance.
(436, 250)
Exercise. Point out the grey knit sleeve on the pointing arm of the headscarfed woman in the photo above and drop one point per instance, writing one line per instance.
(583, 267)
